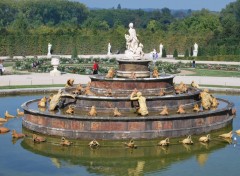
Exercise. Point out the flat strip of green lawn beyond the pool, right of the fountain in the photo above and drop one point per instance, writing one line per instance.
(214, 73)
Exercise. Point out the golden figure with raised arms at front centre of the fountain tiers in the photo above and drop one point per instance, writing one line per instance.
(142, 109)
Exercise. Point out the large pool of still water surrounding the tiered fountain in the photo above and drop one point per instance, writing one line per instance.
(24, 158)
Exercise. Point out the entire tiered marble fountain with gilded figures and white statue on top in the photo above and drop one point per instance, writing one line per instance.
(139, 98)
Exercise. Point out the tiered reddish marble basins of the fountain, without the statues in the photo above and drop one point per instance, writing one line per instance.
(130, 125)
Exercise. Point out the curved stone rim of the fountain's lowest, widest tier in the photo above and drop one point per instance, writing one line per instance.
(138, 118)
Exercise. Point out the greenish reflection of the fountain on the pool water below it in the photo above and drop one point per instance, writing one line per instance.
(113, 158)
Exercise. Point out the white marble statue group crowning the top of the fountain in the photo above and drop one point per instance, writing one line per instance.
(134, 48)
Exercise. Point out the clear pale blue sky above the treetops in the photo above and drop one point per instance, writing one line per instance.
(212, 5)
